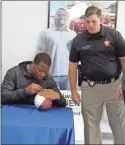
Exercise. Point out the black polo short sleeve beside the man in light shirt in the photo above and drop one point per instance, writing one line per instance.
(74, 55)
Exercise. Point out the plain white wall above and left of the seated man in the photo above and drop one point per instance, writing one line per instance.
(21, 23)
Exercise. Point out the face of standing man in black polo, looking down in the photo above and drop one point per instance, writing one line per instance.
(92, 24)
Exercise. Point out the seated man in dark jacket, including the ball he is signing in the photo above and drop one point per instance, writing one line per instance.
(25, 83)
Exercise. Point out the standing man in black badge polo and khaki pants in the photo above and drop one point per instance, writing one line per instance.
(101, 51)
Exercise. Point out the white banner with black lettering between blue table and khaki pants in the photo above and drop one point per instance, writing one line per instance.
(78, 121)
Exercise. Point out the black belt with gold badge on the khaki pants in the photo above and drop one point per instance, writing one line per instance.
(93, 83)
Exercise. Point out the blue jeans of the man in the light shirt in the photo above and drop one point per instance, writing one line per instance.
(62, 82)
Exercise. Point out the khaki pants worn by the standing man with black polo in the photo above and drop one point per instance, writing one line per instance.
(93, 99)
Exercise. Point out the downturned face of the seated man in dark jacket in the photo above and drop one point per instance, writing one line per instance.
(40, 70)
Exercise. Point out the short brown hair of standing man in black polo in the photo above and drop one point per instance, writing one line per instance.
(92, 10)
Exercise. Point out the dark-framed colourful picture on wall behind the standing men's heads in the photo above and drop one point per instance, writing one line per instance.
(76, 10)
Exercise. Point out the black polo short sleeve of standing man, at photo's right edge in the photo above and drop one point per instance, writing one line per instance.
(120, 44)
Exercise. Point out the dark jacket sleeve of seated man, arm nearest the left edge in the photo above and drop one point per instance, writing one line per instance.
(9, 93)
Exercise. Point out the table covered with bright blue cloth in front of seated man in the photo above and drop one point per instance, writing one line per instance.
(25, 124)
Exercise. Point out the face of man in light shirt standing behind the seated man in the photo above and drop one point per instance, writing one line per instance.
(61, 17)
